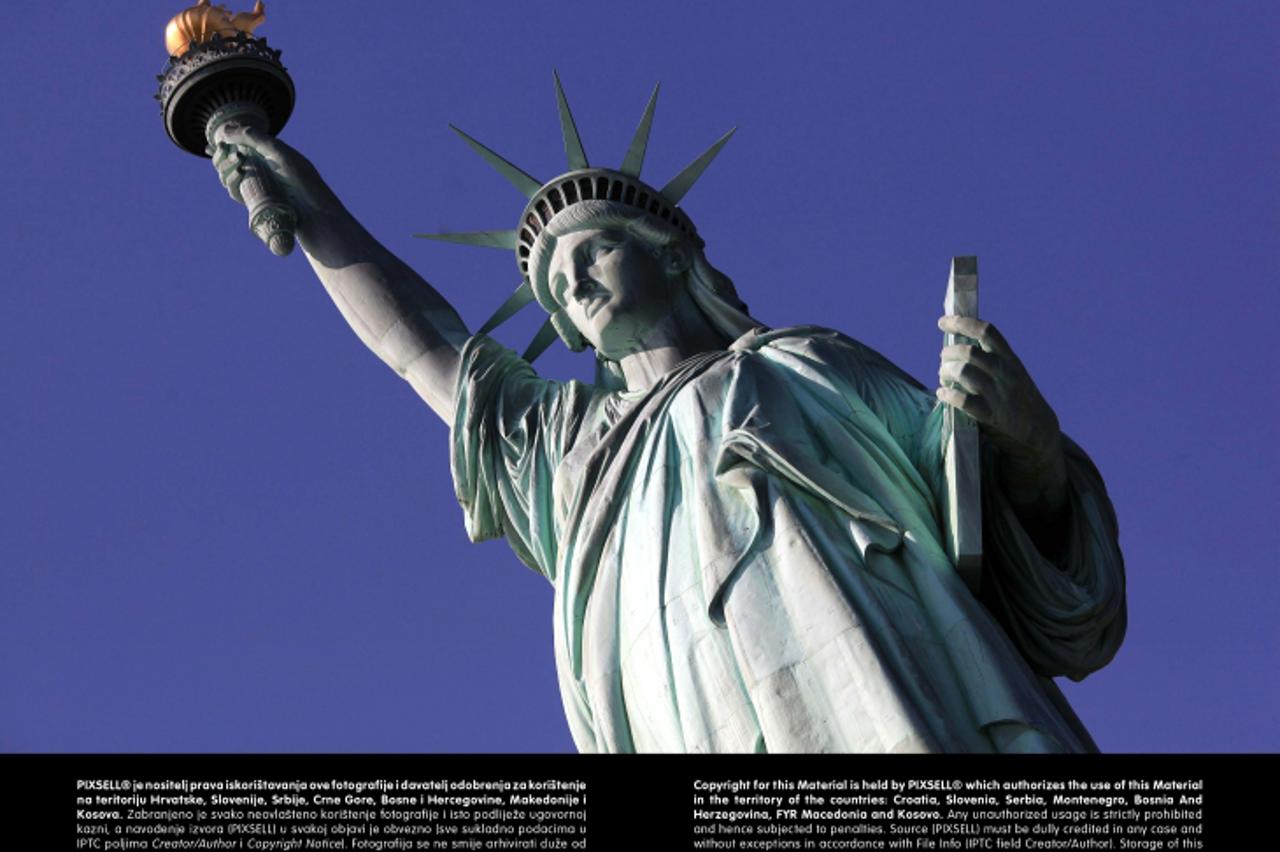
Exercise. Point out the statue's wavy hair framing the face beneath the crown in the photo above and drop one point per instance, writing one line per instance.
(711, 290)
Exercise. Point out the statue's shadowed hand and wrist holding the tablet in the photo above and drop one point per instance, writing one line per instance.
(990, 383)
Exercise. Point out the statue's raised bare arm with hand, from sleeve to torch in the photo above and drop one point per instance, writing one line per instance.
(403, 319)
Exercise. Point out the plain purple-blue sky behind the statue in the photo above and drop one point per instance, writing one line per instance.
(227, 528)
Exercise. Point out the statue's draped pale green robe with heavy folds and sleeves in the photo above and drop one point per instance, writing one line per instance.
(748, 557)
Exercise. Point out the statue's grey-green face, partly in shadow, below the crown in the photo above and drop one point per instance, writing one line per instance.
(612, 287)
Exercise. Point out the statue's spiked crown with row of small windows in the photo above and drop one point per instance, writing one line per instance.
(583, 182)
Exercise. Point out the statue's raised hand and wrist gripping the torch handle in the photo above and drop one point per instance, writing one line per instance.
(292, 172)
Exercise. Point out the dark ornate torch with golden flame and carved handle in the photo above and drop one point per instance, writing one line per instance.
(220, 75)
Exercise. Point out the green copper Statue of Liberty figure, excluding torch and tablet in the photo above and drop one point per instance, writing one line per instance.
(742, 524)
